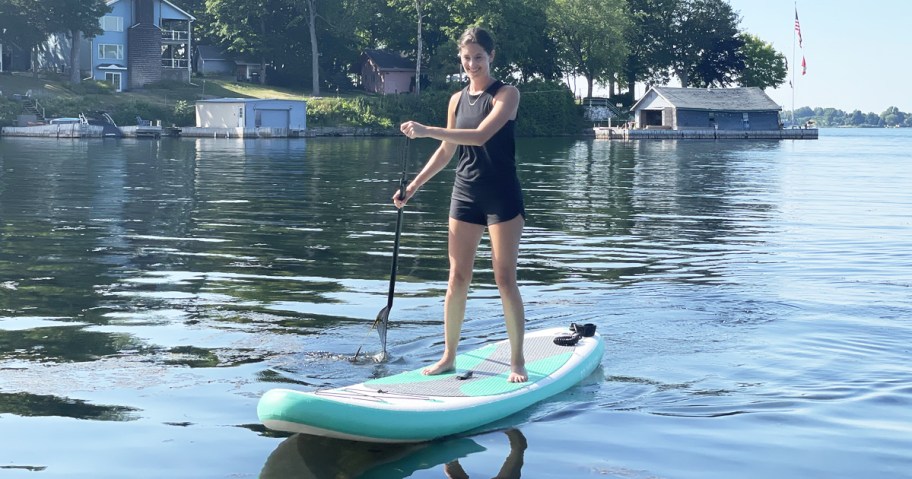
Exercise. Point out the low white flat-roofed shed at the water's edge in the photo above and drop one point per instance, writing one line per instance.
(251, 113)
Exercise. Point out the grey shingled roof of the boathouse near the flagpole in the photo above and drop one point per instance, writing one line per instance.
(714, 99)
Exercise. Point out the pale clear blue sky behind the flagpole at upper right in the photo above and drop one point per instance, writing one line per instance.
(858, 53)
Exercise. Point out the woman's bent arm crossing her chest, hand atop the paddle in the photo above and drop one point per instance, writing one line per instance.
(506, 103)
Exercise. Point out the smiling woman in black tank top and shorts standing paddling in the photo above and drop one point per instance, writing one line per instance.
(486, 193)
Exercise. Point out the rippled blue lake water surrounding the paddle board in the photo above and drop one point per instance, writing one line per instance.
(755, 299)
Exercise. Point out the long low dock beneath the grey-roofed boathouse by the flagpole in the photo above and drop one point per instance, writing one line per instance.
(617, 133)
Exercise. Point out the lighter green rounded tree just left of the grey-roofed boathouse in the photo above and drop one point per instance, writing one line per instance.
(590, 35)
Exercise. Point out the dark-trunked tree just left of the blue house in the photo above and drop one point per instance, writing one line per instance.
(76, 19)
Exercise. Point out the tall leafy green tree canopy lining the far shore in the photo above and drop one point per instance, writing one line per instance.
(317, 43)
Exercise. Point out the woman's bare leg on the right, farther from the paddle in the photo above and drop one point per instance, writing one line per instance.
(505, 238)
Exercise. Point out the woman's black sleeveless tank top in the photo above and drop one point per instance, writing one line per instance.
(492, 164)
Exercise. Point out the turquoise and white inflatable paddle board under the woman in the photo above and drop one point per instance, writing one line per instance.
(412, 407)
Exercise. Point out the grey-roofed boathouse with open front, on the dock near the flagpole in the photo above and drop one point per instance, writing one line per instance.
(738, 109)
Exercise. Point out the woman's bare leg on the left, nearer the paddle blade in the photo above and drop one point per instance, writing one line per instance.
(462, 246)
